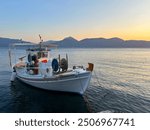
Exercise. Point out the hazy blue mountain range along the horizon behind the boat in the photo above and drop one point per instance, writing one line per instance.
(71, 42)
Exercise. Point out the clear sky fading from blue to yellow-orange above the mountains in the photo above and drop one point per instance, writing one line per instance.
(56, 19)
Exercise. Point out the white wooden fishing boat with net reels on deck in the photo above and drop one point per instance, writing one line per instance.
(40, 70)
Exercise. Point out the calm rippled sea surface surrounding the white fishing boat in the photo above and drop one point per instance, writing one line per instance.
(120, 83)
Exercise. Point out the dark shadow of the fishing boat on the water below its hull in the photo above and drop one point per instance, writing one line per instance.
(28, 99)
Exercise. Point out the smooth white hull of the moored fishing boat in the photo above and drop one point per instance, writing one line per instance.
(75, 84)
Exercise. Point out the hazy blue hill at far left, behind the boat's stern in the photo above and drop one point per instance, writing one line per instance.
(5, 42)
